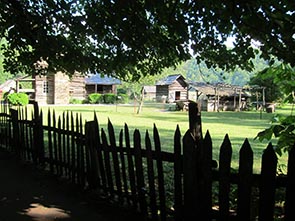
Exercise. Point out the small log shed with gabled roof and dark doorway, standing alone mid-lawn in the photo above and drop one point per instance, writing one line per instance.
(172, 88)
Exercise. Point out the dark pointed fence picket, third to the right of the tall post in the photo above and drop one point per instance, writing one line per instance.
(245, 182)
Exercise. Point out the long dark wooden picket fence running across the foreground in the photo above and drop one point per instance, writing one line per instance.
(136, 173)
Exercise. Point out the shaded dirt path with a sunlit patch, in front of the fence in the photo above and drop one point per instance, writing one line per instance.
(26, 194)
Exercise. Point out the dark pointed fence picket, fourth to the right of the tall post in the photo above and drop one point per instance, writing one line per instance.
(267, 184)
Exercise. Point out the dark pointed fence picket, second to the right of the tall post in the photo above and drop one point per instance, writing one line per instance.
(224, 178)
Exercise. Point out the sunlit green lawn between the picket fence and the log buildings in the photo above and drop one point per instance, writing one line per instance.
(238, 125)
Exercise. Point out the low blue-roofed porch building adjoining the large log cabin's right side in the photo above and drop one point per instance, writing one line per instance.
(101, 84)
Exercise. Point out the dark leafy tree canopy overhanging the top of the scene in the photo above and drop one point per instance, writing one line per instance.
(129, 39)
